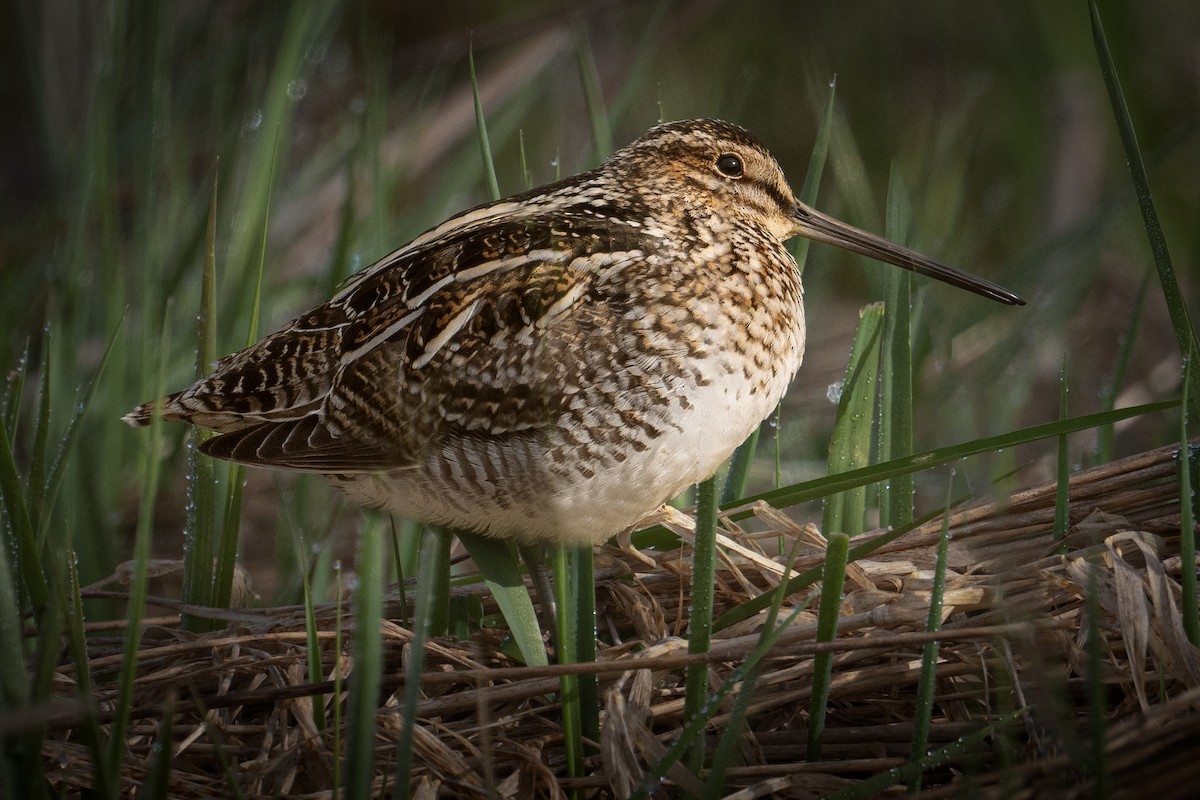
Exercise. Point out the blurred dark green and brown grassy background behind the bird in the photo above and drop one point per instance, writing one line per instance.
(117, 118)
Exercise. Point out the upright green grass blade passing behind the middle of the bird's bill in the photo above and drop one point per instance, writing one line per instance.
(896, 375)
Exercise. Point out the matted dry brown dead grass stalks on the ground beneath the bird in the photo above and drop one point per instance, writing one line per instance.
(1028, 701)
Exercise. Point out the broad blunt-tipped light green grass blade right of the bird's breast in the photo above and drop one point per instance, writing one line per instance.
(850, 447)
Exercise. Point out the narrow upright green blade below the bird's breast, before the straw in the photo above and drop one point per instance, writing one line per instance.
(700, 625)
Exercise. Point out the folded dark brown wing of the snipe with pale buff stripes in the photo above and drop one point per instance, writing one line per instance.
(484, 333)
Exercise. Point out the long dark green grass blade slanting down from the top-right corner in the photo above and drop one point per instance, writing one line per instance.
(1181, 322)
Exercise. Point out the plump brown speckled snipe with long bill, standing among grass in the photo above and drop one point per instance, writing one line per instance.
(556, 365)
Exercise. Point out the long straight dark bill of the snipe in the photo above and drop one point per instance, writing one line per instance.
(819, 227)
